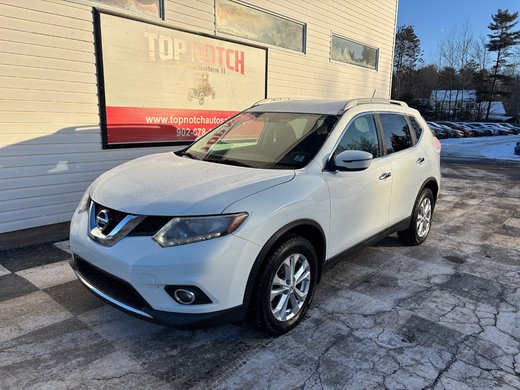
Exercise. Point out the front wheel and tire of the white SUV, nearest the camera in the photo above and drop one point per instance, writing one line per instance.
(290, 302)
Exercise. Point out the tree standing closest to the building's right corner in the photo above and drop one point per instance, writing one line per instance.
(407, 55)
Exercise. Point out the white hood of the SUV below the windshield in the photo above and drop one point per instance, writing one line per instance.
(166, 184)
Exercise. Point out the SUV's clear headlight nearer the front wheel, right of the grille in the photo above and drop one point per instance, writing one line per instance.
(180, 231)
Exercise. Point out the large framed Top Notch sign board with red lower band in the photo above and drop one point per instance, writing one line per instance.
(161, 86)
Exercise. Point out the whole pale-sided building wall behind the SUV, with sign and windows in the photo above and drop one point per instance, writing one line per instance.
(73, 73)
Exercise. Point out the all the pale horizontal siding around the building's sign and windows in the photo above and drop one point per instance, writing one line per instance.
(50, 141)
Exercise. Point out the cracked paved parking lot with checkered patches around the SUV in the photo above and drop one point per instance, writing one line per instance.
(444, 315)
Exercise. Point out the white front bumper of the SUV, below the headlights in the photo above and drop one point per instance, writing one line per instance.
(137, 270)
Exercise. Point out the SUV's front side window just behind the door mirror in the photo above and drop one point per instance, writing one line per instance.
(361, 134)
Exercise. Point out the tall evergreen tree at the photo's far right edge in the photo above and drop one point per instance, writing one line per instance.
(501, 40)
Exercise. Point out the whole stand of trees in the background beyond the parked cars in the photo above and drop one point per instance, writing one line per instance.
(476, 70)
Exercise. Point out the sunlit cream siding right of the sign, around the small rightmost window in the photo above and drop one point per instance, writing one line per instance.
(312, 74)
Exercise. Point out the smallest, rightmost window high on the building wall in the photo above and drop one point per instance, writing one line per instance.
(345, 50)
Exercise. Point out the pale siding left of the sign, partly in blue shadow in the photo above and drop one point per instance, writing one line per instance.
(50, 141)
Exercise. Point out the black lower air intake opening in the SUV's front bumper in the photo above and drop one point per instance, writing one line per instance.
(109, 284)
